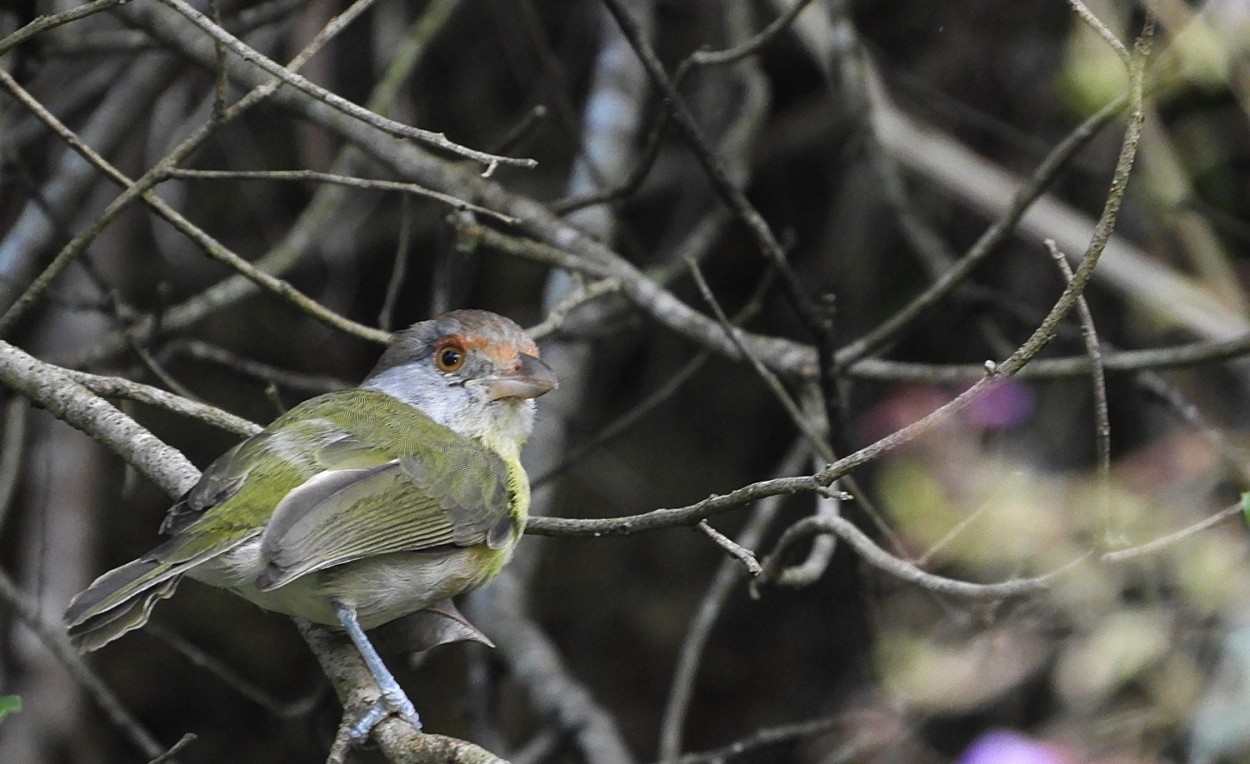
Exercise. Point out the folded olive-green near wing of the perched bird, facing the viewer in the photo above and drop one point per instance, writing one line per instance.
(449, 491)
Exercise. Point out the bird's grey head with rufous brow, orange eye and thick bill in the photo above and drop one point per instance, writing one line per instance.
(471, 371)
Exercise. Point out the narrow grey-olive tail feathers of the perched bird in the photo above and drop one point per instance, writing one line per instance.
(123, 600)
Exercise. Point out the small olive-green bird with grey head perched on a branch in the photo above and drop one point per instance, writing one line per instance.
(358, 507)
